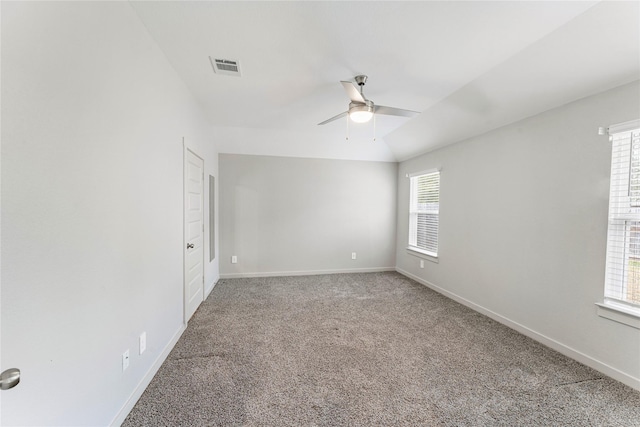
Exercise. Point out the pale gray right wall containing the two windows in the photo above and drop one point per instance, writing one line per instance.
(523, 228)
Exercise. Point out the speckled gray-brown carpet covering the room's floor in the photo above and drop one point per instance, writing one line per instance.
(373, 349)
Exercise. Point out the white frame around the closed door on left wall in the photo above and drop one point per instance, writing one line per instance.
(185, 293)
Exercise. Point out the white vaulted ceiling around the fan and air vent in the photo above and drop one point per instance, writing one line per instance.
(468, 67)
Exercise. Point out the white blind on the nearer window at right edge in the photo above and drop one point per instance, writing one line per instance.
(622, 282)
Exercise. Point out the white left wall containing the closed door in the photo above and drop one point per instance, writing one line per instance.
(92, 158)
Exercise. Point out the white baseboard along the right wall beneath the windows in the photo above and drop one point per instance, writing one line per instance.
(549, 342)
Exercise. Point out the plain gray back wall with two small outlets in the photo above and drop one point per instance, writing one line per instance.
(282, 215)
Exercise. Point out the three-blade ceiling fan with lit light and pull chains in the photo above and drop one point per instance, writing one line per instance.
(362, 109)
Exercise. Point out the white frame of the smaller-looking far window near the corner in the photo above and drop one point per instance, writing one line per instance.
(414, 211)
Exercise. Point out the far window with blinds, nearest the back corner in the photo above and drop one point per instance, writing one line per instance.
(424, 213)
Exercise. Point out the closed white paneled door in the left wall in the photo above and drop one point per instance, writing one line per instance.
(193, 233)
